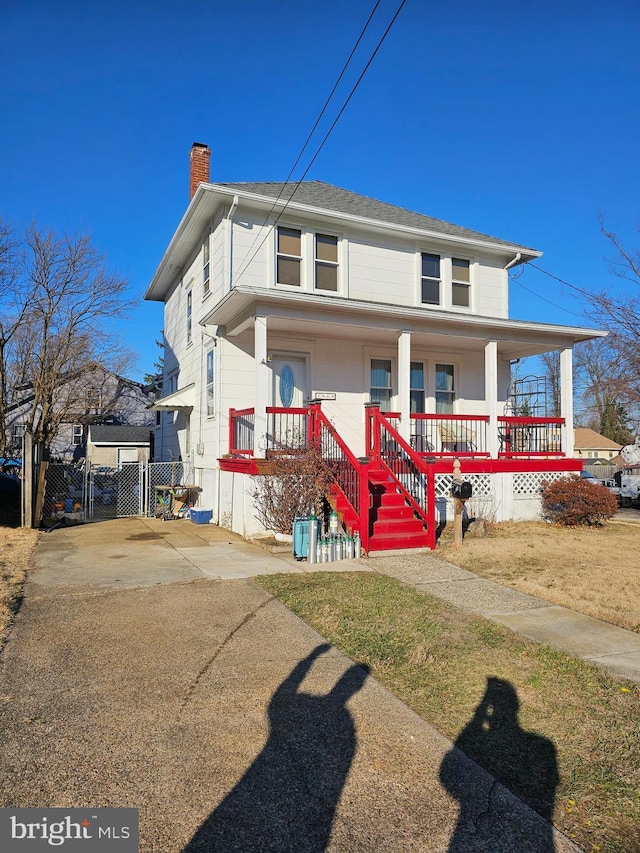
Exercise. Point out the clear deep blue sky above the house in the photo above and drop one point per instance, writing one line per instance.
(517, 119)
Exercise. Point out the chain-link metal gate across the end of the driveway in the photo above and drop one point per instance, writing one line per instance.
(97, 492)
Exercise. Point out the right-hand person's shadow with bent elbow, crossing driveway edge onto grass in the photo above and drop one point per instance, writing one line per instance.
(523, 761)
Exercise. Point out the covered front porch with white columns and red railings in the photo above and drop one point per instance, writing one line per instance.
(443, 377)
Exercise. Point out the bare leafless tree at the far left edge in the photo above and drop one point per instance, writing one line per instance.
(59, 324)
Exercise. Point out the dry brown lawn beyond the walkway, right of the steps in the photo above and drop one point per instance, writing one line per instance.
(593, 570)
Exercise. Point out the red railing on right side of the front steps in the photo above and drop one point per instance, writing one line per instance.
(414, 477)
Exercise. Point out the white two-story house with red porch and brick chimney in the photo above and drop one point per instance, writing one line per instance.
(276, 295)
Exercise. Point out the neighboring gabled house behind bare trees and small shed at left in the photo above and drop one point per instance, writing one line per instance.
(104, 398)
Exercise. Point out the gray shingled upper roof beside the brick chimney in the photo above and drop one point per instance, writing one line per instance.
(329, 197)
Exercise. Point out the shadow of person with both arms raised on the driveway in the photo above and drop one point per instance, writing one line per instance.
(287, 799)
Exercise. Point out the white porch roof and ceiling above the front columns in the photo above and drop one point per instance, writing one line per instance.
(325, 316)
